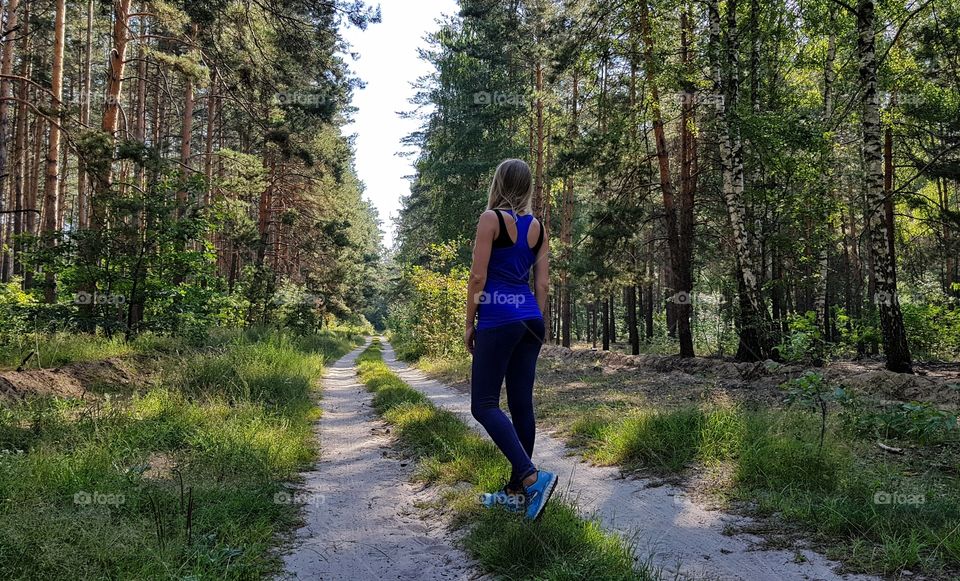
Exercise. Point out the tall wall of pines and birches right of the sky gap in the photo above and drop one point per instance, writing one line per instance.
(762, 180)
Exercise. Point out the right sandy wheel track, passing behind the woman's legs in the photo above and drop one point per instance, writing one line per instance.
(681, 536)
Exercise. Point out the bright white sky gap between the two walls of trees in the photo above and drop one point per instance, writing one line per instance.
(388, 64)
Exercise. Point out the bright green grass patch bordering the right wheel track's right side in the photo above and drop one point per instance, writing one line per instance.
(777, 464)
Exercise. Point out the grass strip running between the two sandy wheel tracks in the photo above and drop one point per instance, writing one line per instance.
(560, 545)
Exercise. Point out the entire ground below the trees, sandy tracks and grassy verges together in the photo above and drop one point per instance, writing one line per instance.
(368, 511)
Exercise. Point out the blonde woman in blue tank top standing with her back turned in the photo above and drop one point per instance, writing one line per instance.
(509, 331)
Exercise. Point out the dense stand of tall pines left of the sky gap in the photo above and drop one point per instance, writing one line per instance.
(170, 166)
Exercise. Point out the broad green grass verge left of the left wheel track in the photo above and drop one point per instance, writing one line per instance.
(181, 480)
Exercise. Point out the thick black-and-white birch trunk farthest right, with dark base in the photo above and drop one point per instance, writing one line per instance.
(877, 196)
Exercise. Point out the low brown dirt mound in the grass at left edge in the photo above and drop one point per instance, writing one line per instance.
(79, 380)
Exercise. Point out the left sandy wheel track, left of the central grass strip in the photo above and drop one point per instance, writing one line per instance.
(361, 511)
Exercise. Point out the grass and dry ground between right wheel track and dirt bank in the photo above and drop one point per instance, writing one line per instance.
(767, 460)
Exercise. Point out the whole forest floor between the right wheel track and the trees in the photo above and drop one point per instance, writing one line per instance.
(720, 434)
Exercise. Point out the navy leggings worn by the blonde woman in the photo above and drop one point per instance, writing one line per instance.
(508, 352)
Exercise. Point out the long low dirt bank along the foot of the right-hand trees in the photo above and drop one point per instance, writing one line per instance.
(935, 383)
